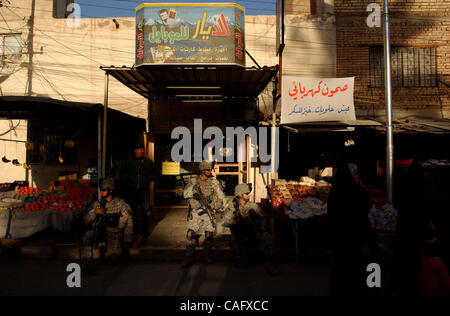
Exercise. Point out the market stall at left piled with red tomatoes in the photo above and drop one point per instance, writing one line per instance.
(26, 211)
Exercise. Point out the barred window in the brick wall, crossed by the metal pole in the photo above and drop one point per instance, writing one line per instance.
(410, 66)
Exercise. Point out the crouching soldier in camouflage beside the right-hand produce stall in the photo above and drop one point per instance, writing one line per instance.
(248, 227)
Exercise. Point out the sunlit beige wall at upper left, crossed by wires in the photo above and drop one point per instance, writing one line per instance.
(67, 58)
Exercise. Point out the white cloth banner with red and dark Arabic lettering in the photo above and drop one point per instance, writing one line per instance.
(317, 99)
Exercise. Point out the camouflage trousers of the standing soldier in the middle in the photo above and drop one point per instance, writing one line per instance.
(197, 225)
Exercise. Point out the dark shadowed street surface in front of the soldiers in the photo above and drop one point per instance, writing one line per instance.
(48, 277)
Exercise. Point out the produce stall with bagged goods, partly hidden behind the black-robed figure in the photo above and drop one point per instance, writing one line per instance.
(303, 205)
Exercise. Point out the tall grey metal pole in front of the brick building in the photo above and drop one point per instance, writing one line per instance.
(388, 94)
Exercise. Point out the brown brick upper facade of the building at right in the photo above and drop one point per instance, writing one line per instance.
(420, 47)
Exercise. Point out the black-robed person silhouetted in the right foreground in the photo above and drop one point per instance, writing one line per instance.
(351, 236)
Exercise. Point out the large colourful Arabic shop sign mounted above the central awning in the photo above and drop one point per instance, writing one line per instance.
(177, 33)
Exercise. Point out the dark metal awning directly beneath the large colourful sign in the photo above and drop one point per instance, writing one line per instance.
(202, 83)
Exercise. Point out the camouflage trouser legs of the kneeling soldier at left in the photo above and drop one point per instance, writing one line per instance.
(113, 245)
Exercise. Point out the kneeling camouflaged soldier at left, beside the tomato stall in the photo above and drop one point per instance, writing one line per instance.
(118, 222)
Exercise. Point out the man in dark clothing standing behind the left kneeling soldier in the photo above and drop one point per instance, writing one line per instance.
(135, 177)
